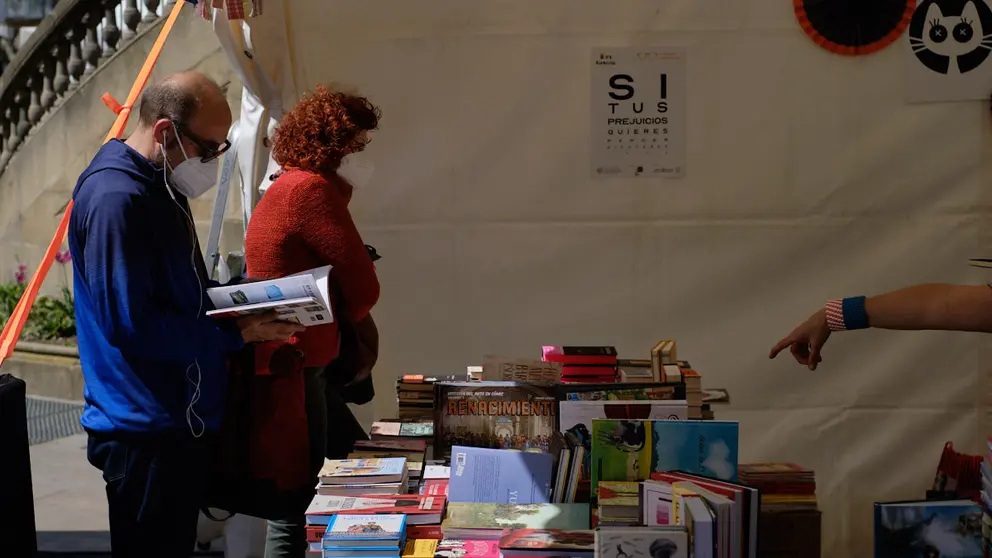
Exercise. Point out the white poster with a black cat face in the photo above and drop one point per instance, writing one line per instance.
(946, 51)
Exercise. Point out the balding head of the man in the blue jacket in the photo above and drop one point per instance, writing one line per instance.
(186, 114)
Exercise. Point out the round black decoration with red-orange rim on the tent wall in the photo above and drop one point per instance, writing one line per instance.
(845, 23)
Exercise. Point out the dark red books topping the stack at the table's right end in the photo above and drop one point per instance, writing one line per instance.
(782, 485)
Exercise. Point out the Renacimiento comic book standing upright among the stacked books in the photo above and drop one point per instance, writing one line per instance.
(502, 415)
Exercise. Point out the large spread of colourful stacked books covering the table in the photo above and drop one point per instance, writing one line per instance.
(530, 458)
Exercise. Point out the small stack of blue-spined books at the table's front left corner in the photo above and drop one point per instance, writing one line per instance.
(372, 536)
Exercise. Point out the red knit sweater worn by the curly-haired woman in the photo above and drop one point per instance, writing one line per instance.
(302, 222)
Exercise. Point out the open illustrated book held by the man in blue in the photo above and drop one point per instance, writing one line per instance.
(302, 298)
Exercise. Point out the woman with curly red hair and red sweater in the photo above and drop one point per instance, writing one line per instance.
(302, 222)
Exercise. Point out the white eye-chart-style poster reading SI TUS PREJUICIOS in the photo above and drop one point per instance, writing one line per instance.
(638, 112)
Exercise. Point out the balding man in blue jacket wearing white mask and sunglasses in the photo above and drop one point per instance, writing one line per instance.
(153, 363)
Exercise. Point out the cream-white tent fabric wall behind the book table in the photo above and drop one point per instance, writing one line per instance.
(808, 177)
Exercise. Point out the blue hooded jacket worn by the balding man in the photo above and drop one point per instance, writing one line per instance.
(144, 340)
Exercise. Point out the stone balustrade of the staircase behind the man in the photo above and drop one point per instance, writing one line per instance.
(67, 47)
